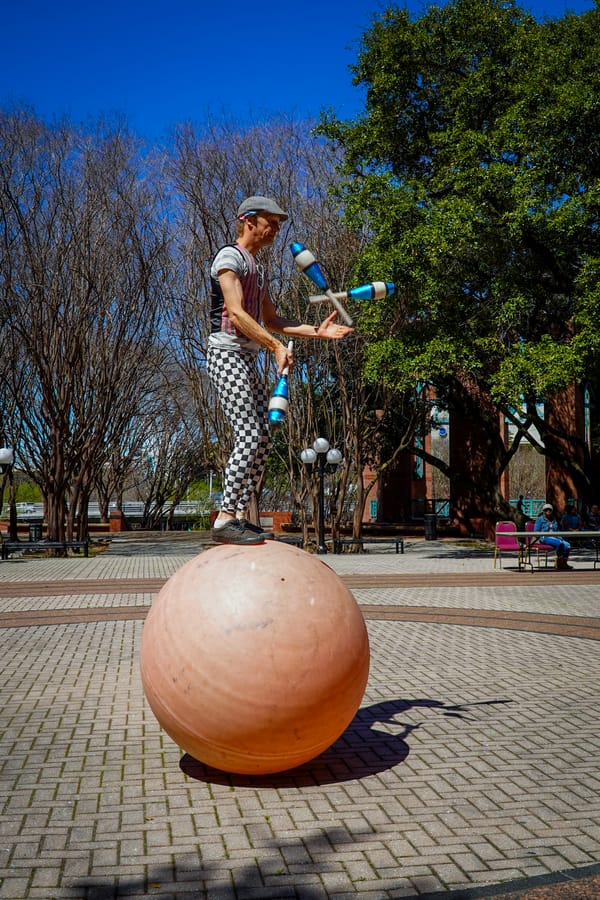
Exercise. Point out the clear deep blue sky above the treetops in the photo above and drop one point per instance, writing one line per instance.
(160, 63)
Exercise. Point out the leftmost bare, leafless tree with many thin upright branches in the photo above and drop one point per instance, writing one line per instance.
(84, 265)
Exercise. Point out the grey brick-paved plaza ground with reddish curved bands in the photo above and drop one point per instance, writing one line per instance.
(471, 770)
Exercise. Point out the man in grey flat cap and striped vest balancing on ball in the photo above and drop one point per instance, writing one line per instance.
(243, 319)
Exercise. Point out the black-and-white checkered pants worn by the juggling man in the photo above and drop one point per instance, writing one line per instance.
(244, 401)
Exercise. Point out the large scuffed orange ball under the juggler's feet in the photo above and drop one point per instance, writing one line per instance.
(254, 659)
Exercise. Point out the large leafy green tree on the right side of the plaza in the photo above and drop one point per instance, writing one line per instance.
(476, 169)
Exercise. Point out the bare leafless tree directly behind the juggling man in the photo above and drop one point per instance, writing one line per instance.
(213, 171)
